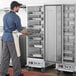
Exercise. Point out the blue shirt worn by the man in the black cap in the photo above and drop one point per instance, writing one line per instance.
(11, 22)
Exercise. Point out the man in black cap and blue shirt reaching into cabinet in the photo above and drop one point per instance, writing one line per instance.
(11, 22)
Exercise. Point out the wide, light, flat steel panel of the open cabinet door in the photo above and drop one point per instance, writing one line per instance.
(50, 33)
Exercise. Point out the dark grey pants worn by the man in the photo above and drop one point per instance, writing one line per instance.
(9, 51)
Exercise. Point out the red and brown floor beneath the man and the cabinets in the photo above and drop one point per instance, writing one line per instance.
(50, 71)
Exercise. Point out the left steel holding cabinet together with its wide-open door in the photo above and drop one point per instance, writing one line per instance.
(41, 43)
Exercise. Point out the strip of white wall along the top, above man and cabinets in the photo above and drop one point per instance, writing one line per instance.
(6, 3)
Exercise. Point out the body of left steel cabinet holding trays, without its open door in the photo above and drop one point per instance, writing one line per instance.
(35, 41)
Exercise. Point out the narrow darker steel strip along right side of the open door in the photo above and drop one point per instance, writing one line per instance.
(58, 34)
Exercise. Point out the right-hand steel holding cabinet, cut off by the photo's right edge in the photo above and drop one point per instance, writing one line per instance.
(67, 61)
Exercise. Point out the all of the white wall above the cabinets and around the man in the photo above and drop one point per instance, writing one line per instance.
(23, 13)
